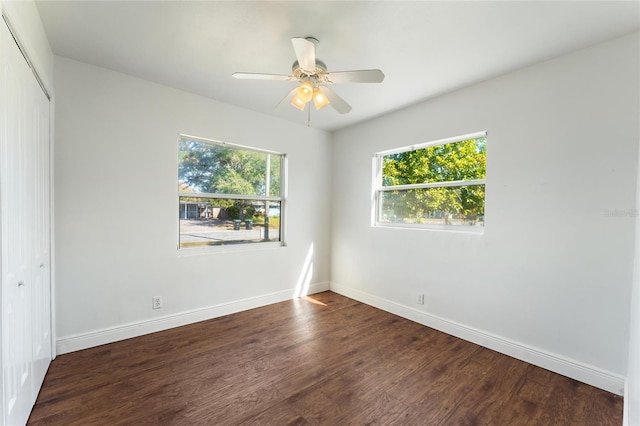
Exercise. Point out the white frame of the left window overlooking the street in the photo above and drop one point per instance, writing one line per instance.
(205, 195)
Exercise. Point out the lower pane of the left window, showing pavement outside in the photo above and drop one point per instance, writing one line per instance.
(213, 221)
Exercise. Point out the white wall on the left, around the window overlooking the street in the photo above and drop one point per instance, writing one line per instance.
(116, 208)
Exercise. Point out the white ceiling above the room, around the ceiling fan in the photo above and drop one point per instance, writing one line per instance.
(425, 48)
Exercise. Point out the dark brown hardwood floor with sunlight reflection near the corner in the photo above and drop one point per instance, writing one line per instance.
(325, 359)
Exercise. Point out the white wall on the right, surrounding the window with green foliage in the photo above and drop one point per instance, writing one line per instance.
(550, 279)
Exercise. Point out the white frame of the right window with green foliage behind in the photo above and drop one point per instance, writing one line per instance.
(378, 188)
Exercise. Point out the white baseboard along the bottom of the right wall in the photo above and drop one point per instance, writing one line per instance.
(588, 374)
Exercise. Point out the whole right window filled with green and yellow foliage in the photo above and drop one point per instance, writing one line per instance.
(437, 185)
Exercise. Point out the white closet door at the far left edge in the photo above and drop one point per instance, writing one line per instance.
(16, 331)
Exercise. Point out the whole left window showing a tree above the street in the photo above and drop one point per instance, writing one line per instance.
(228, 194)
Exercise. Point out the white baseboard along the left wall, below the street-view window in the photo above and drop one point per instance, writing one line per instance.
(127, 331)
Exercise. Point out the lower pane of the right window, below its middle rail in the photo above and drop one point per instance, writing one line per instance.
(458, 205)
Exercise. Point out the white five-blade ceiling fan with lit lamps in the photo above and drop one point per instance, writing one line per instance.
(313, 77)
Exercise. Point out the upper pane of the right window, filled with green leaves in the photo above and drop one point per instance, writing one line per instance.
(464, 160)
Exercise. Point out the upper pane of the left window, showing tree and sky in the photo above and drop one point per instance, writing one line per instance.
(217, 169)
